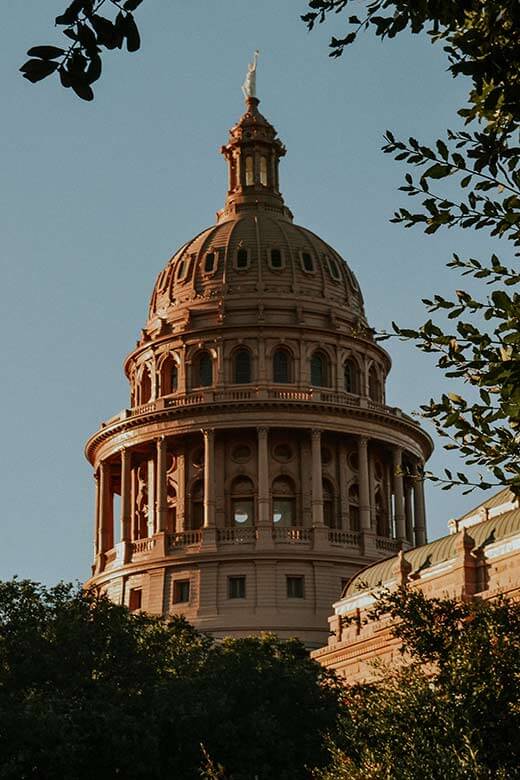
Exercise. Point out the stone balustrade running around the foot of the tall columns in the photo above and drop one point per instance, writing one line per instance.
(230, 541)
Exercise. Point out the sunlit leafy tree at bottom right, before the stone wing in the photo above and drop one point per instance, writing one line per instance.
(453, 709)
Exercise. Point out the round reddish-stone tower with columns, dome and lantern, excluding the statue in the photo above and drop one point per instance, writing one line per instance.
(258, 466)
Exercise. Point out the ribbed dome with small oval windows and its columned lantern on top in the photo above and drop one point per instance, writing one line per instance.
(254, 249)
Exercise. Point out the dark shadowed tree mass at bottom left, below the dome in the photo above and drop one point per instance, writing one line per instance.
(88, 689)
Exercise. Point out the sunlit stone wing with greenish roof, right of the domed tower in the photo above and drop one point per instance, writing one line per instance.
(478, 559)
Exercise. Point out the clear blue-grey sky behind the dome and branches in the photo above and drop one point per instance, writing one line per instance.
(96, 197)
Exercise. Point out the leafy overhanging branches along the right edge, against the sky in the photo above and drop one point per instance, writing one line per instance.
(480, 340)
